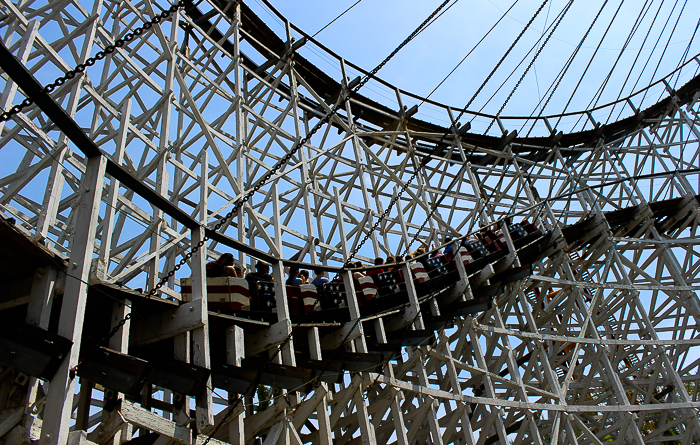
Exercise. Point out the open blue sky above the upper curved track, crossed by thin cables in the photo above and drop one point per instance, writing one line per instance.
(373, 28)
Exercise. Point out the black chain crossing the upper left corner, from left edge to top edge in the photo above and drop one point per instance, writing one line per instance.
(109, 49)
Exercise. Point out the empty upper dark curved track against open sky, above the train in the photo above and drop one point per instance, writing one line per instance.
(379, 116)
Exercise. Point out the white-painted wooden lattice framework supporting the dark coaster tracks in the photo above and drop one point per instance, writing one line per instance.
(202, 128)
